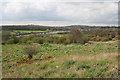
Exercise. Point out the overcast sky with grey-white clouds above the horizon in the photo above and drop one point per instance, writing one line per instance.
(59, 12)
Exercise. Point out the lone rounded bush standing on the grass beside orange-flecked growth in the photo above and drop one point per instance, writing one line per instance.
(31, 50)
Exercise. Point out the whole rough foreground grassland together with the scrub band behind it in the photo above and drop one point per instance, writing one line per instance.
(77, 54)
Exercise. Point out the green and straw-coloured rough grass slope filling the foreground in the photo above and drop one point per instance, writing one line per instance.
(81, 61)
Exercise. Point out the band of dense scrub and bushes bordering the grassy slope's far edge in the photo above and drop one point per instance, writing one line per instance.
(74, 36)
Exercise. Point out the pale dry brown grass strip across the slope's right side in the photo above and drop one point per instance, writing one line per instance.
(102, 56)
